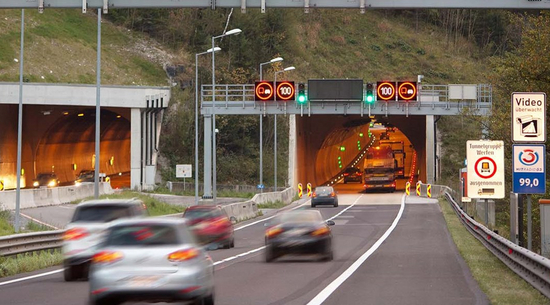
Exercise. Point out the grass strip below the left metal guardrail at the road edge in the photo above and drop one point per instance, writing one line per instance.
(28, 262)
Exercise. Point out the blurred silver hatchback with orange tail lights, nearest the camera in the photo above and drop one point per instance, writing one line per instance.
(152, 260)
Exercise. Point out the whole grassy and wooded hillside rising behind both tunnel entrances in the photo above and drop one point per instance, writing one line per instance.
(60, 48)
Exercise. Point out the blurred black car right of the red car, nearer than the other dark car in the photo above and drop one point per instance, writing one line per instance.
(299, 232)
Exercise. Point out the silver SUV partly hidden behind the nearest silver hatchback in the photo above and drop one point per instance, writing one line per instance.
(86, 230)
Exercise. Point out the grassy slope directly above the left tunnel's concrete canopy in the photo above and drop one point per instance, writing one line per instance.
(60, 47)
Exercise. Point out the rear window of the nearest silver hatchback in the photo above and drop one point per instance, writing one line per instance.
(142, 235)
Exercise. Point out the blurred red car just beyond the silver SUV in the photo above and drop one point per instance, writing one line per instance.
(210, 225)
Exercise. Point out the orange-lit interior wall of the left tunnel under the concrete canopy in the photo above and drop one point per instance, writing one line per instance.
(55, 137)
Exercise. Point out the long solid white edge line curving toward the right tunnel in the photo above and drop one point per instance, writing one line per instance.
(325, 293)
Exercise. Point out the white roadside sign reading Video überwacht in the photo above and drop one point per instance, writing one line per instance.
(529, 117)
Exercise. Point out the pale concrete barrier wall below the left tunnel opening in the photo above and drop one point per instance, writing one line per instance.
(32, 198)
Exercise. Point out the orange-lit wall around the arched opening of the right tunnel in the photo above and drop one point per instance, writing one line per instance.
(318, 136)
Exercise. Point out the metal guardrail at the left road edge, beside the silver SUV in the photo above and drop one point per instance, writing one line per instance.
(30, 242)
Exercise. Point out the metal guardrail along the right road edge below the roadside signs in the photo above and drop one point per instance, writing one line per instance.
(533, 268)
